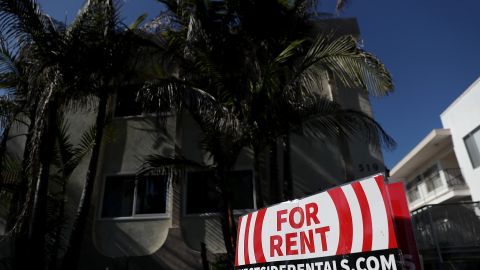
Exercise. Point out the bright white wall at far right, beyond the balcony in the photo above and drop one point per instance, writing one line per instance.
(462, 117)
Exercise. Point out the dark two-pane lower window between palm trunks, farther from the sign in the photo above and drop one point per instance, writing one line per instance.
(130, 196)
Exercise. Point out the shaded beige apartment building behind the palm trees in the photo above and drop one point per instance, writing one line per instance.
(163, 221)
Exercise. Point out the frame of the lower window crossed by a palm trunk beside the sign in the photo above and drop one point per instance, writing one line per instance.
(216, 214)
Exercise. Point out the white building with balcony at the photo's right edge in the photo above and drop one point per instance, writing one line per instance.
(445, 165)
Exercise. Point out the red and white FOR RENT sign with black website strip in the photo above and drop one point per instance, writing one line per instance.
(346, 228)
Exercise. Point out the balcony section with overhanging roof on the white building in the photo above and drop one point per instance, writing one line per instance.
(431, 172)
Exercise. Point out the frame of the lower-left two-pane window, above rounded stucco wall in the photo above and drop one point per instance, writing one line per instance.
(168, 199)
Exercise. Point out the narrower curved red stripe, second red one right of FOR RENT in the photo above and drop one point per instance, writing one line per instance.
(366, 216)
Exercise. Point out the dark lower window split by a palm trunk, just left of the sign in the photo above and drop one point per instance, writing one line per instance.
(203, 196)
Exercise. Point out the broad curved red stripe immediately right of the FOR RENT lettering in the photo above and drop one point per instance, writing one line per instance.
(345, 220)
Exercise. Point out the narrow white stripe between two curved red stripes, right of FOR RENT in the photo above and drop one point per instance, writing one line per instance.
(357, 222)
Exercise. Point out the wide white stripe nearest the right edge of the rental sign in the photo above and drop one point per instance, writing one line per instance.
(379, 214)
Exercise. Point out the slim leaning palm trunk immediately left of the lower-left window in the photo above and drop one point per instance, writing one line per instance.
(72, 254)
